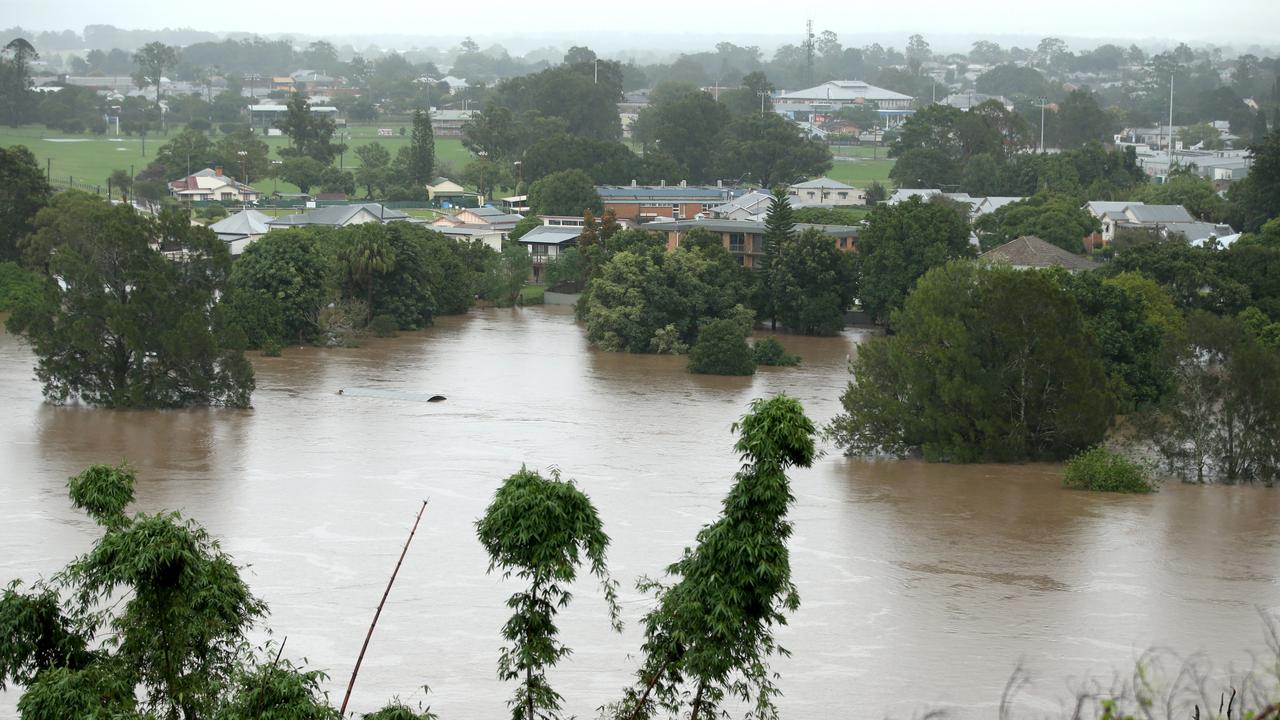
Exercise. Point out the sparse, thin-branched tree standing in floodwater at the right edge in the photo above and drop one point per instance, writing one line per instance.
(1223, 418)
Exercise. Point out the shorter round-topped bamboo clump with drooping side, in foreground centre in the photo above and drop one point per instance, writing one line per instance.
(540, 530)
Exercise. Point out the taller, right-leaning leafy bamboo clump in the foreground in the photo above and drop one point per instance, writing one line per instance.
(711, 634)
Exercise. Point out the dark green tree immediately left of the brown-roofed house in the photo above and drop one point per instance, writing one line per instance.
(900, 244)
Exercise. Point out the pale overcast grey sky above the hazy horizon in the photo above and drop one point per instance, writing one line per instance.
(1228, 22)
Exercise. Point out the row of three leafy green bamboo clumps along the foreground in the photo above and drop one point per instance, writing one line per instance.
(179, 614)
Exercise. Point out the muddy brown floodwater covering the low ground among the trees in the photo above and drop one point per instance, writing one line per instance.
(922, 586)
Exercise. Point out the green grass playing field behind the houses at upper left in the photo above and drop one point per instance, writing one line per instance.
(92, 158)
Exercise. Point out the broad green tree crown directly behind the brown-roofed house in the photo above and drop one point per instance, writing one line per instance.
(1058, 220)
